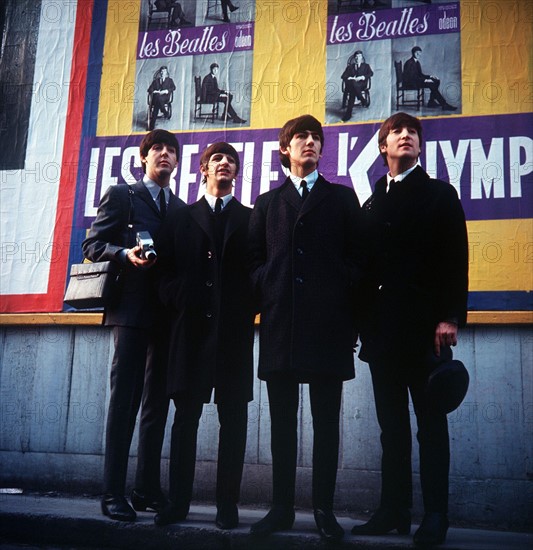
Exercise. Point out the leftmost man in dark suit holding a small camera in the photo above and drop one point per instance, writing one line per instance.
(139, 326)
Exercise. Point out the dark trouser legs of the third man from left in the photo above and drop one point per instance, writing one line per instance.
(325, 397)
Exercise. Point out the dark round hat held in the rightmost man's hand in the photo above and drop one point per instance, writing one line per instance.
(448, 382)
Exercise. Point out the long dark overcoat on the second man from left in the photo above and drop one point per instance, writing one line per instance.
(210, 302)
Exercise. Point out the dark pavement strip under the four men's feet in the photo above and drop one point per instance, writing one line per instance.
(76, 522)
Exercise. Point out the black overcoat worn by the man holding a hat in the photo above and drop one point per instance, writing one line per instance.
(418, 265)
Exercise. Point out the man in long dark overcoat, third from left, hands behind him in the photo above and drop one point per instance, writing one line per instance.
(304, 260)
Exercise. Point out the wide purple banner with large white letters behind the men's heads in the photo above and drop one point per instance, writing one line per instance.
(489, 160)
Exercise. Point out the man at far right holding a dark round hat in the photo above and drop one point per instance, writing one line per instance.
(413, 302)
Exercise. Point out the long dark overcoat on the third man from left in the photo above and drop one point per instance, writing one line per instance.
(305, 266)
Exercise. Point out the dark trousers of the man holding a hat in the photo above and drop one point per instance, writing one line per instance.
(393, 381)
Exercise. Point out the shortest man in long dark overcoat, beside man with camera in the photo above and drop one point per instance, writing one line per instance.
(205, 283)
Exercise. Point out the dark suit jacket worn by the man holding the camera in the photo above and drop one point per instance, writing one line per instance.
(123, 211)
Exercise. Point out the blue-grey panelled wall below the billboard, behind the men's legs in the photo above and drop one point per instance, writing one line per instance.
(54, 391)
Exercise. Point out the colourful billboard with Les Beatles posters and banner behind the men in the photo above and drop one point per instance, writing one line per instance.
(104, 72)
